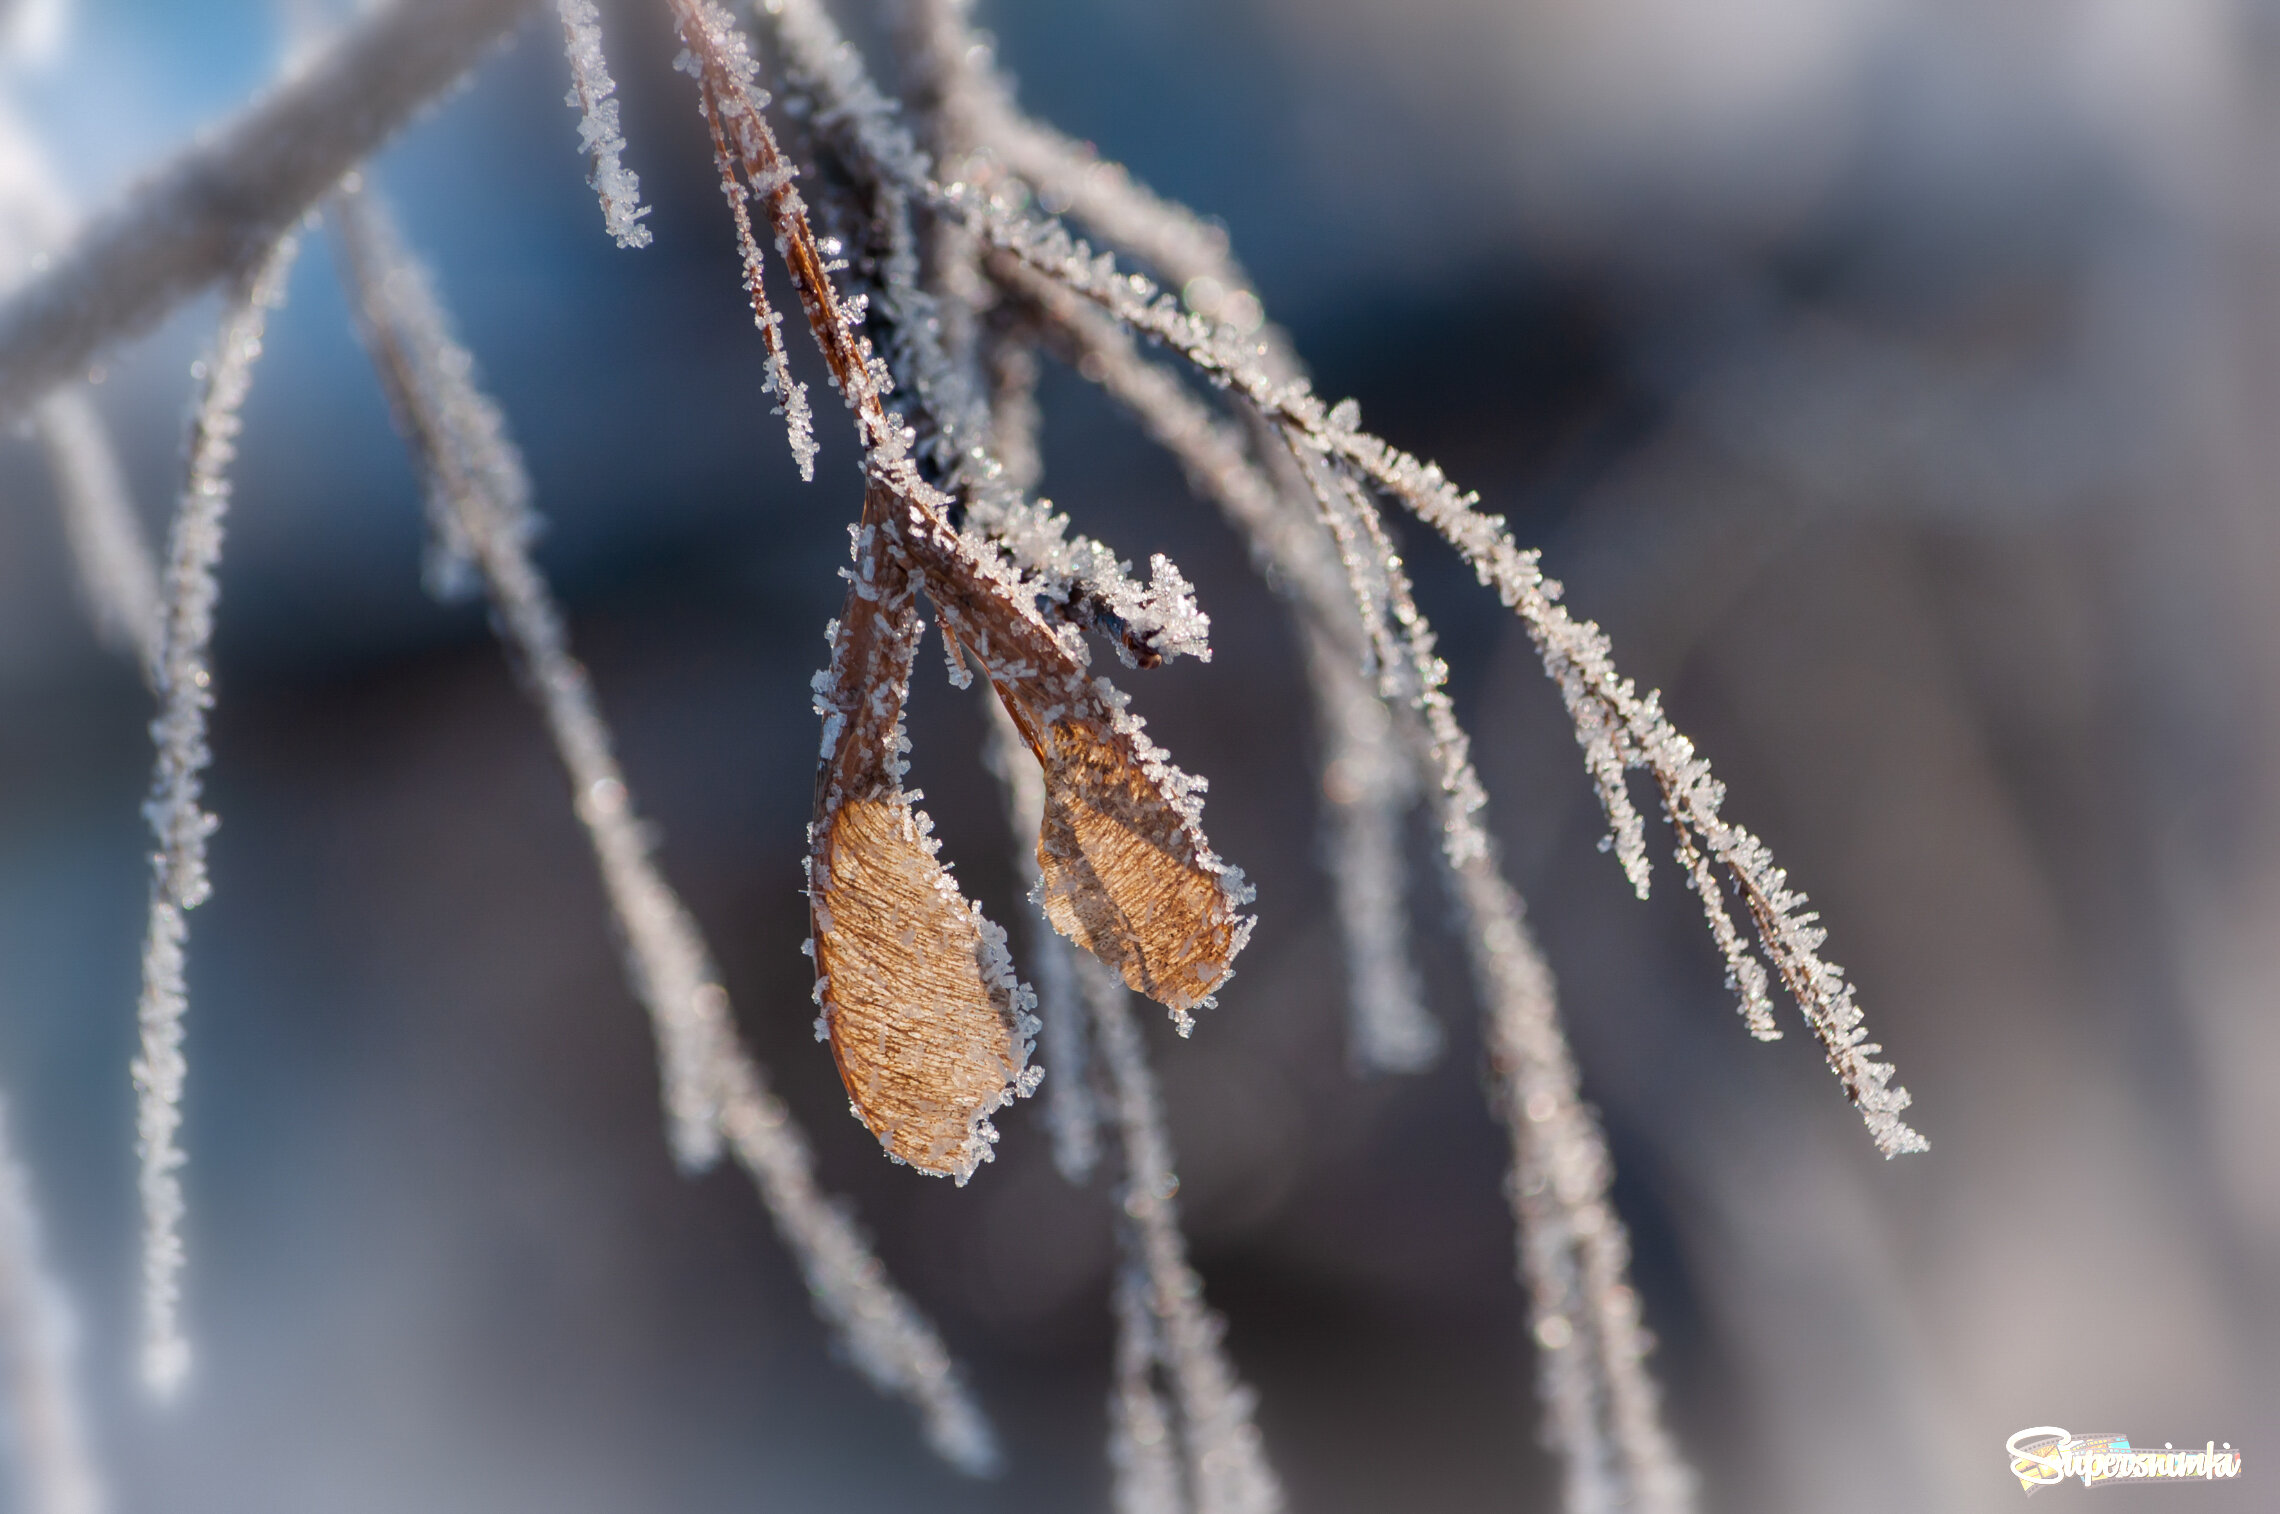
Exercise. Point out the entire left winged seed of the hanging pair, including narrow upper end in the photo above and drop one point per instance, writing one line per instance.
(927, 1023)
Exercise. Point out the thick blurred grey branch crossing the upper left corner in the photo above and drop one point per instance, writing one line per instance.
(213, 213)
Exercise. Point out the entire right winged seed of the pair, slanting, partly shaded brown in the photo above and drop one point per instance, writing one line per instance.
(1127, 870)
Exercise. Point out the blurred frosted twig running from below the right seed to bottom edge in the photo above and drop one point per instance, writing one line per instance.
(1225, 1463)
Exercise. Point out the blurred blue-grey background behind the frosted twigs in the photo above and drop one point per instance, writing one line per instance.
(1894, 380)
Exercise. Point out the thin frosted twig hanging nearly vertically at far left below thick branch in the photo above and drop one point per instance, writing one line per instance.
(174, 813)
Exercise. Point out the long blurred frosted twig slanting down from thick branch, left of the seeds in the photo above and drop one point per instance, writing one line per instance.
(712, 1086)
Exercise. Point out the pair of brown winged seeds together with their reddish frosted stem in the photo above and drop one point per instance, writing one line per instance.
(1125, 863)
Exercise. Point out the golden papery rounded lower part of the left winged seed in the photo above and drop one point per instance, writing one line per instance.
(922, 1036)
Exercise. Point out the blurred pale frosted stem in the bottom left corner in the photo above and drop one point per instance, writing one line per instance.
(56, 1472)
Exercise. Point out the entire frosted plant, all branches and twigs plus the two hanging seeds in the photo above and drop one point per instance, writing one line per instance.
(934, 254)
